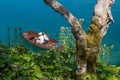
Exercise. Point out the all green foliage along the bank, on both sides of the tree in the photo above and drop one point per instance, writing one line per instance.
(18, 63)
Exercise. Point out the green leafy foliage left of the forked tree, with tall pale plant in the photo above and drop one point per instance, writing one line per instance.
(54, 64)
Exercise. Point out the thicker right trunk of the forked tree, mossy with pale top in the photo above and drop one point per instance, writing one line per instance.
(101, 19)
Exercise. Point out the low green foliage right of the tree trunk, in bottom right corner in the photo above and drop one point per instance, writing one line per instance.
(107, 72)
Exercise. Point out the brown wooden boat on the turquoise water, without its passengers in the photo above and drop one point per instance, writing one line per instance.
(31, 37)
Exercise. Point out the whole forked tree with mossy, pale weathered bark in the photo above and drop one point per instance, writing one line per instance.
(88, 45)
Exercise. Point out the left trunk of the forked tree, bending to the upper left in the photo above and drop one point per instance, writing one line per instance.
(79, 34)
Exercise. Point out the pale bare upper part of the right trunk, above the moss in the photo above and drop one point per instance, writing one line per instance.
(102, 13)
